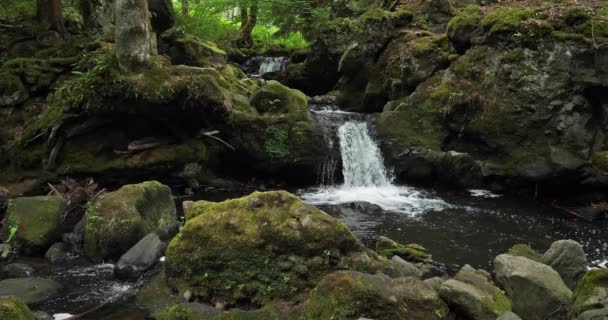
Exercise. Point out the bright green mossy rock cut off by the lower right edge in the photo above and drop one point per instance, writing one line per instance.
(591, 290)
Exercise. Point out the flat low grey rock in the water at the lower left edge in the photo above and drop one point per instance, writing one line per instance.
(30, 290)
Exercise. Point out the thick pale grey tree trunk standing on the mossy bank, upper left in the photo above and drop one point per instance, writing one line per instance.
(132, 35)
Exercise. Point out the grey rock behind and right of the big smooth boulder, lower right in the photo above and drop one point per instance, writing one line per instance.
(568, 259)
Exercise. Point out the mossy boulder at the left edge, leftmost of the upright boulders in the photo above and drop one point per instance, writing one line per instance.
(34, 223)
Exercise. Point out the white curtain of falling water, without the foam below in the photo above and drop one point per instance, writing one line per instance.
(362, 163)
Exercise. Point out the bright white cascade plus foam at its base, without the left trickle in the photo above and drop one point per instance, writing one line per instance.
(366, 179)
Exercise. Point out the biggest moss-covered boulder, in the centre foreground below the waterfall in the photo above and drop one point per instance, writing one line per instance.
(257, 248)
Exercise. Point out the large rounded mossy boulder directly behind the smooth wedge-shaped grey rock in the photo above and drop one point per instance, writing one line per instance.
(118, 220)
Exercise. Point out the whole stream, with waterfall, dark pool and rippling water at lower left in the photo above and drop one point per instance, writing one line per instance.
(457, 227)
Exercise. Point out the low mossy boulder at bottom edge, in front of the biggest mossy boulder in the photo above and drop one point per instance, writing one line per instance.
(351, 295)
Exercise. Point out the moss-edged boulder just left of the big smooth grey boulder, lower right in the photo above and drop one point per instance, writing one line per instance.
(474, 296)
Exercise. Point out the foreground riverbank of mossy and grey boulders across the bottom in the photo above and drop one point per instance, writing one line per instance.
(271, 256)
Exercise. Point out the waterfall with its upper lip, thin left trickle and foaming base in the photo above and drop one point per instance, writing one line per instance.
(353, 149)
